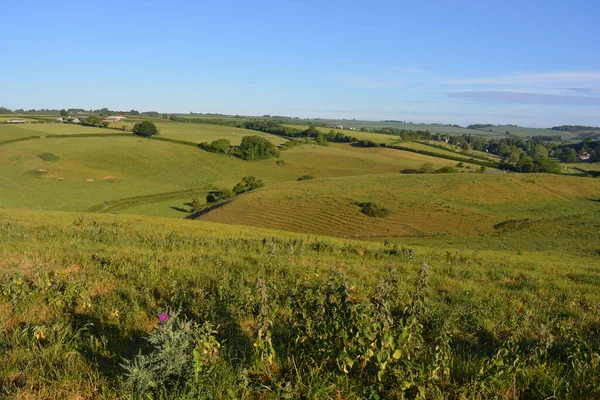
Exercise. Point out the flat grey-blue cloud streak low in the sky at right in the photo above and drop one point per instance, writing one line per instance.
(500, 97)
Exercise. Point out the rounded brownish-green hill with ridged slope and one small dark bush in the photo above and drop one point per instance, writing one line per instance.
(419, 204)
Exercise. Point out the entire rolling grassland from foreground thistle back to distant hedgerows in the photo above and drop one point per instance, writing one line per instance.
(360, 282)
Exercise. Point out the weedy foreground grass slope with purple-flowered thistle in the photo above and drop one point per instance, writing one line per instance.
(278, 315)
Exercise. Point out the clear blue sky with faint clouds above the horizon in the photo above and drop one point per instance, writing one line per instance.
(532, 63)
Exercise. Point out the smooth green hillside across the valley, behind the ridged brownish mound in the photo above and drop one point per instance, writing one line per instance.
(77, 173)
